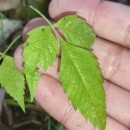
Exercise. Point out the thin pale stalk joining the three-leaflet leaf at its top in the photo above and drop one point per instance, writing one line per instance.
(51, 25)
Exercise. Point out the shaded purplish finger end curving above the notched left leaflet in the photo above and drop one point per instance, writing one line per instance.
(36, 22)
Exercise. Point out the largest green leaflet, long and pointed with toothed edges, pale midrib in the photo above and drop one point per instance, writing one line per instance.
(82, 81)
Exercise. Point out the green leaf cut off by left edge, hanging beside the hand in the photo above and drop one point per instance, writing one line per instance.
(12, 80)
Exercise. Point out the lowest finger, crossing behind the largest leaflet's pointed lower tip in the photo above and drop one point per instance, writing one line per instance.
(51, 97)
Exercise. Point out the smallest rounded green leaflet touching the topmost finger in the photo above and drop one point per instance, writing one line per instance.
(76, 31)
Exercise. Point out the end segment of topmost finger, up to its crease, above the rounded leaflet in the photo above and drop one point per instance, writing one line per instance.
(84, 8)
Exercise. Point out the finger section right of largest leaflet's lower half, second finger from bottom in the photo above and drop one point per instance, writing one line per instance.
(118, 103)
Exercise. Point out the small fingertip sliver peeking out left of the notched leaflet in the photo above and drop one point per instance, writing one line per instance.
(18, 57)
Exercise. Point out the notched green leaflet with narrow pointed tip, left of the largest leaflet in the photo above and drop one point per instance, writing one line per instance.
(40, 50)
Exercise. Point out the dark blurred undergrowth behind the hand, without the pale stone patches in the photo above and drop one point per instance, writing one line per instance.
(11, 116)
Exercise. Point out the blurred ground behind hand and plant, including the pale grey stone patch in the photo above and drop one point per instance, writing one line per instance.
(13, 16)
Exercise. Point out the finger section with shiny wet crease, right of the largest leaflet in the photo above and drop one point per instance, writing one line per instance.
(114, 62)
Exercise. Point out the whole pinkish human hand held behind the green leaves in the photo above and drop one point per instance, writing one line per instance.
(111, 23)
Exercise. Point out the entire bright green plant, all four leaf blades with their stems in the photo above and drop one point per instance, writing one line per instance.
(79, 73)
